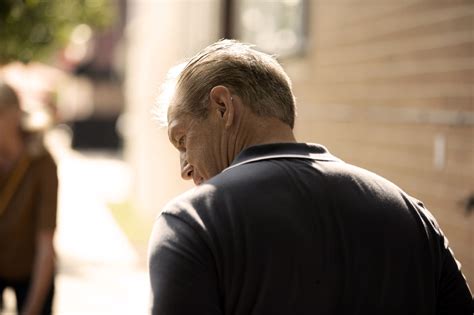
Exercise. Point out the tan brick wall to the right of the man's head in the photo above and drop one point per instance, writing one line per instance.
(388, 85)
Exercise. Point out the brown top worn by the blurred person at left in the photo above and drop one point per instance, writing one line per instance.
(31, 208)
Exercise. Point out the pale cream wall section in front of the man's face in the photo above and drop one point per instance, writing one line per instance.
(159, 35)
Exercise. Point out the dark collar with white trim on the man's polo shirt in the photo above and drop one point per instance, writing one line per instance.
(307, 151)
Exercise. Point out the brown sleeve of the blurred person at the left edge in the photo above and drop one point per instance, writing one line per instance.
(47, 197)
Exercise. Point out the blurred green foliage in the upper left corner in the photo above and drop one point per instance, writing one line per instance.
(34, 29)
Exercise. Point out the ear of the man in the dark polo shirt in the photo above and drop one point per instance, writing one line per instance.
(222, 104)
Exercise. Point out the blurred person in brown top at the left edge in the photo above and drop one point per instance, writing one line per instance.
(28, 205)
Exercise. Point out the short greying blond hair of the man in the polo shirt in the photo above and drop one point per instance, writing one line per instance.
(257, 78)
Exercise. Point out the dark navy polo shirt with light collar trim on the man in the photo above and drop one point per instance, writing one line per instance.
(290, 229)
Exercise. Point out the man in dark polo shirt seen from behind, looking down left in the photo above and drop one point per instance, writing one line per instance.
(280, 227)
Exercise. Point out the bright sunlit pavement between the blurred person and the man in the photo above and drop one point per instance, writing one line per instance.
(99, 270)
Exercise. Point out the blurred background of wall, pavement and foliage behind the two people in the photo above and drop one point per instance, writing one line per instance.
(386, 85)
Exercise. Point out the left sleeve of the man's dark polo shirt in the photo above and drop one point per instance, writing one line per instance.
(182, 270)
